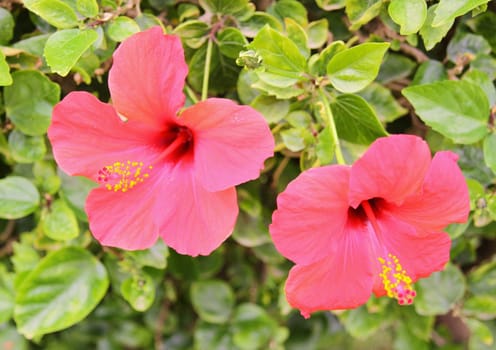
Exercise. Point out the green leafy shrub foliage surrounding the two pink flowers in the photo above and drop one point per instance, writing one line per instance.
(364, 68)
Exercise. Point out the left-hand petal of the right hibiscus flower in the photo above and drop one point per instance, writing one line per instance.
(311, 213)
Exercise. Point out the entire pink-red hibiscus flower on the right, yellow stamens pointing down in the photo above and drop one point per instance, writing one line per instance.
(372, 227)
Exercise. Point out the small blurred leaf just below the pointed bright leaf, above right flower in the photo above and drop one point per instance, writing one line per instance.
(381, 98)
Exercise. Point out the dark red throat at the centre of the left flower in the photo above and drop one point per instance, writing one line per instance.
(178, 142)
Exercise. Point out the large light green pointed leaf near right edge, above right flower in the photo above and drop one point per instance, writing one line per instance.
(457, 109)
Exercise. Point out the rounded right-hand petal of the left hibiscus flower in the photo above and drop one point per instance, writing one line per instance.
(231, 142)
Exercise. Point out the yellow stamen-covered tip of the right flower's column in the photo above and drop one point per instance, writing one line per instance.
(396, 281)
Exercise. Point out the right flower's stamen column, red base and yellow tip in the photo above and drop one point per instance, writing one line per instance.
(396, 281)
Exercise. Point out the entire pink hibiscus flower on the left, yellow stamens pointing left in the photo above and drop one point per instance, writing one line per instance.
(162, 171)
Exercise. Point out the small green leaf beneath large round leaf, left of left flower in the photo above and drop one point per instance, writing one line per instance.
(26, 149)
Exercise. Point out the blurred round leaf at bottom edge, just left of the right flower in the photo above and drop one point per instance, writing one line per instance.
(252, 327)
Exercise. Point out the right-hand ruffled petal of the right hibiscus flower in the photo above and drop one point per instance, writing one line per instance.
(444, 198)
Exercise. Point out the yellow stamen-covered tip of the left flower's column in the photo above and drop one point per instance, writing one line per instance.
(123, 176)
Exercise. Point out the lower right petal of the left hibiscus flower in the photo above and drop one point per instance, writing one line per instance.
(194, 221)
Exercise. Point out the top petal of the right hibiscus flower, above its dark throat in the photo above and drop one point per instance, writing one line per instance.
(393, 168)
